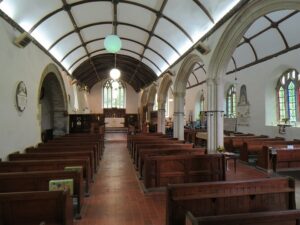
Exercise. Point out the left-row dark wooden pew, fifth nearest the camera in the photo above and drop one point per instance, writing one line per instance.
(74, 149)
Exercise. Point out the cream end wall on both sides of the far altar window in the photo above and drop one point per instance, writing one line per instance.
(95, 99)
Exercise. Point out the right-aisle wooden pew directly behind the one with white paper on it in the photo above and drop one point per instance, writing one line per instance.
(254, 146)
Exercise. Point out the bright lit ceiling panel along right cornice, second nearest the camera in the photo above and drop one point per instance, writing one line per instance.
(190, 17)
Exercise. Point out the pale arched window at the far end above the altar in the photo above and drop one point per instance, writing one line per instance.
(113, 94)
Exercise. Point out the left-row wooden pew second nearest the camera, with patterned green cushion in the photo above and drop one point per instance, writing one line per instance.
(39, 181)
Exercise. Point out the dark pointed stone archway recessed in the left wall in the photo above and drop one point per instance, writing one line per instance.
(53, 103)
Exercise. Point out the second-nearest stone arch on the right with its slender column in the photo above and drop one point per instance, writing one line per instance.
(180, 91)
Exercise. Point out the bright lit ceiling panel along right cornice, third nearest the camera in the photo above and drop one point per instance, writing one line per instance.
(173, 35)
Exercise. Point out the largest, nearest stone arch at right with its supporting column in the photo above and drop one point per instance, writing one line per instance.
(223, 52)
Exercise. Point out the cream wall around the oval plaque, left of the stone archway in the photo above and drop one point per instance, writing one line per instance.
(19, 130)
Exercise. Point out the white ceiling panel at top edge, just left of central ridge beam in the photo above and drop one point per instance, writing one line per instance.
(92, 12)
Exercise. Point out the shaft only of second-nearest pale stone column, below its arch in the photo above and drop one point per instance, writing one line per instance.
(178, 126)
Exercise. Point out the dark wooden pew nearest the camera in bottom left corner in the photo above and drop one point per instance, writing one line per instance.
(40, 207)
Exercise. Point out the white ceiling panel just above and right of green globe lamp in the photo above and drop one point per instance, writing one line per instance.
(132, 33)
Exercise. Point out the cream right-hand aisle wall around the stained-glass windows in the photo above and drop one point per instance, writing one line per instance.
(261, 81)
